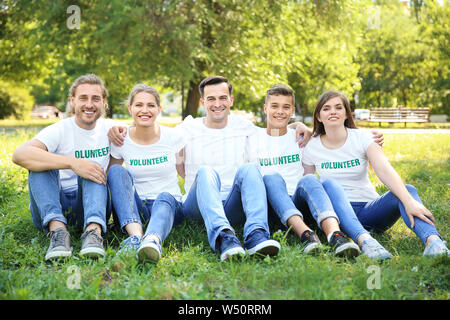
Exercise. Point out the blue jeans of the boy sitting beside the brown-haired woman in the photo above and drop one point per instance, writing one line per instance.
(309, 196)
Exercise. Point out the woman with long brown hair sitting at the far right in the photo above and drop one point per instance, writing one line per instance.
(340, 153)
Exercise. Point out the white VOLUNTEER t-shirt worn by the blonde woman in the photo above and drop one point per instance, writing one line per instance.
(153, 167)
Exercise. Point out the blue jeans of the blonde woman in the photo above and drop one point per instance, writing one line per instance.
(164, 212)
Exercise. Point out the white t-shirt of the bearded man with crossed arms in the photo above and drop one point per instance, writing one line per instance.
(66, 138)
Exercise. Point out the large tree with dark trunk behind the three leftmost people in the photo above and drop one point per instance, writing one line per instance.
(175, 43)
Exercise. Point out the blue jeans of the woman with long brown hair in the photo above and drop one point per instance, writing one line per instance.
(377, 215)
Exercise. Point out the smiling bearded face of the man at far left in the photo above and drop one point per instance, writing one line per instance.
(88, 105)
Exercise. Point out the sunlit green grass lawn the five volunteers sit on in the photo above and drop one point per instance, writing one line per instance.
(190, 270)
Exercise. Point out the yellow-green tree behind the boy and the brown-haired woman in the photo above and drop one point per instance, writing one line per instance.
(315, 49)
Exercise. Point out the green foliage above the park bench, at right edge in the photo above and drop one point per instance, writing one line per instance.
(404, 58)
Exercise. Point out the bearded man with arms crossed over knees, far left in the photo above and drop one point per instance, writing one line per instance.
(67, 162)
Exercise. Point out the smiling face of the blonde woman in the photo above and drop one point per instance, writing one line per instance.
(144, 109)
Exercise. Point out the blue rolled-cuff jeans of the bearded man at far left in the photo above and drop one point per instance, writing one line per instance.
(88, 204)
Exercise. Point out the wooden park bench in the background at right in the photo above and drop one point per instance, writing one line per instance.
(400, 114)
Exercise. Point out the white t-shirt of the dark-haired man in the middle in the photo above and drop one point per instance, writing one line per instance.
(224, 150)
